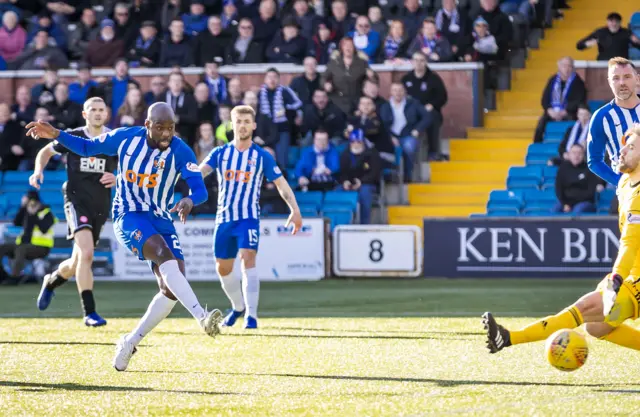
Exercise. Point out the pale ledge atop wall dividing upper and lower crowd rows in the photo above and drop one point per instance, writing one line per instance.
(238, 69)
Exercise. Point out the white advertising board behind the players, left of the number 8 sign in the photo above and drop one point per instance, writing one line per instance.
(281, 256)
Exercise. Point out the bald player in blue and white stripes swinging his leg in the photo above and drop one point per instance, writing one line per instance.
(150, 160)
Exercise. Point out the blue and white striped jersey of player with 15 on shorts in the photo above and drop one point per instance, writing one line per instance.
(240, 179)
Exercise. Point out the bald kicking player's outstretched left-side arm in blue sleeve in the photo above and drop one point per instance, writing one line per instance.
(107, 143)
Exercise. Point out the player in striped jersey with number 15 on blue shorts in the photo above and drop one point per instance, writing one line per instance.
(240, 167)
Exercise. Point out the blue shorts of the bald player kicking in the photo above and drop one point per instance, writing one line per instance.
(133, 229)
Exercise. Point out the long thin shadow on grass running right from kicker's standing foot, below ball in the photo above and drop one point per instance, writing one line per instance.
(439, 382)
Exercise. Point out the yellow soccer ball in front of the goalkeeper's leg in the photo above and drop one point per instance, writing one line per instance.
(567, 350)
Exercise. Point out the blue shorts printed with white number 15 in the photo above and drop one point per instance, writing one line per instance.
(235, 235)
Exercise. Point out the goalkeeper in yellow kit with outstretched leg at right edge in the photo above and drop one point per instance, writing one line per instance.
(617, 297)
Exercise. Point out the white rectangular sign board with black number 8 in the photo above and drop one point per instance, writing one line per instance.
(380, 250)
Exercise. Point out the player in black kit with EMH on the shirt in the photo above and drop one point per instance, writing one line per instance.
(87, 197)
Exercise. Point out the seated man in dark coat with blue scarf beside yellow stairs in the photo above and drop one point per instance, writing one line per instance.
(564, 93)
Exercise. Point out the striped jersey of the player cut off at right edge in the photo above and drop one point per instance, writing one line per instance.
(608, 124)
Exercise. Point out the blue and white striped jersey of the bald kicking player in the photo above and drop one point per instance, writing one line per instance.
(146, 176)
